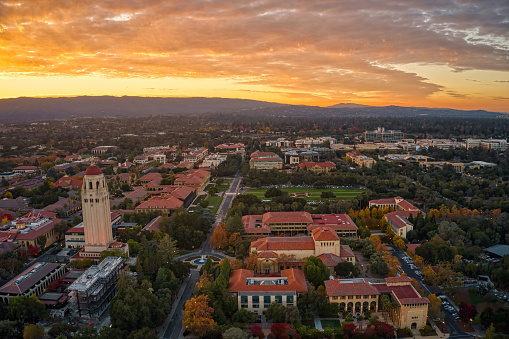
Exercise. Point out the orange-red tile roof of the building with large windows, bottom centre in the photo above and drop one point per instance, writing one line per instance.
(296, 282)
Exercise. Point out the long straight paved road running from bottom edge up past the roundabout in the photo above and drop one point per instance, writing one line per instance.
(173, 324)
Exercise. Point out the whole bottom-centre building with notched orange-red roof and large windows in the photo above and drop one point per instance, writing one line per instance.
(255, 294)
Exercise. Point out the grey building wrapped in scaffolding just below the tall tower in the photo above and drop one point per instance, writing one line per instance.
(91, 293)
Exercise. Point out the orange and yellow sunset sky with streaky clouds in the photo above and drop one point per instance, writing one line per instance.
(433, 53)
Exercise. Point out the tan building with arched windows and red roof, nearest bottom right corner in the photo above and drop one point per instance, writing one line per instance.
(359, 295)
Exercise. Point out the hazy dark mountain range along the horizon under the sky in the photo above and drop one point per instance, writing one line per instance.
(31, 109)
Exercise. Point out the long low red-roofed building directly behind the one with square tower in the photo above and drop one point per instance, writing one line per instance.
(297, 223)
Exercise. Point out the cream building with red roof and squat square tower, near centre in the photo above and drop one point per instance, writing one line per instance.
(279, 253)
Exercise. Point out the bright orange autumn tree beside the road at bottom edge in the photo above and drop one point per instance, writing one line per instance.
(198, 316)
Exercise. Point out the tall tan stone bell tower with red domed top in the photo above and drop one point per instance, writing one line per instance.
(96, 211)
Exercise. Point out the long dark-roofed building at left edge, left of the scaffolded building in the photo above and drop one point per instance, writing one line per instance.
(32, 281)
